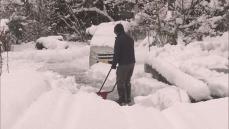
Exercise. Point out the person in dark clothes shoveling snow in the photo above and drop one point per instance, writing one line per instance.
(124, 56)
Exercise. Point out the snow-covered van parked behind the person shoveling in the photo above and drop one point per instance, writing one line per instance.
(102, 42)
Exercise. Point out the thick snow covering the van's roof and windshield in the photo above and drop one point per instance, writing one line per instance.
(104, 33)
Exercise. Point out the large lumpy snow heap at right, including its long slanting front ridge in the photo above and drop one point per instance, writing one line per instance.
(193, 67)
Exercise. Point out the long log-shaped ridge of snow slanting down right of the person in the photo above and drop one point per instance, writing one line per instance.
(195, 88)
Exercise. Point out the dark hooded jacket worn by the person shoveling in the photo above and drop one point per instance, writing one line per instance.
(123, 49)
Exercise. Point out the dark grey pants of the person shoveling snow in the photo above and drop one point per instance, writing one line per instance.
(123, 77)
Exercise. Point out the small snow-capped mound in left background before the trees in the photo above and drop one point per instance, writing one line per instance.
(53, 42)
